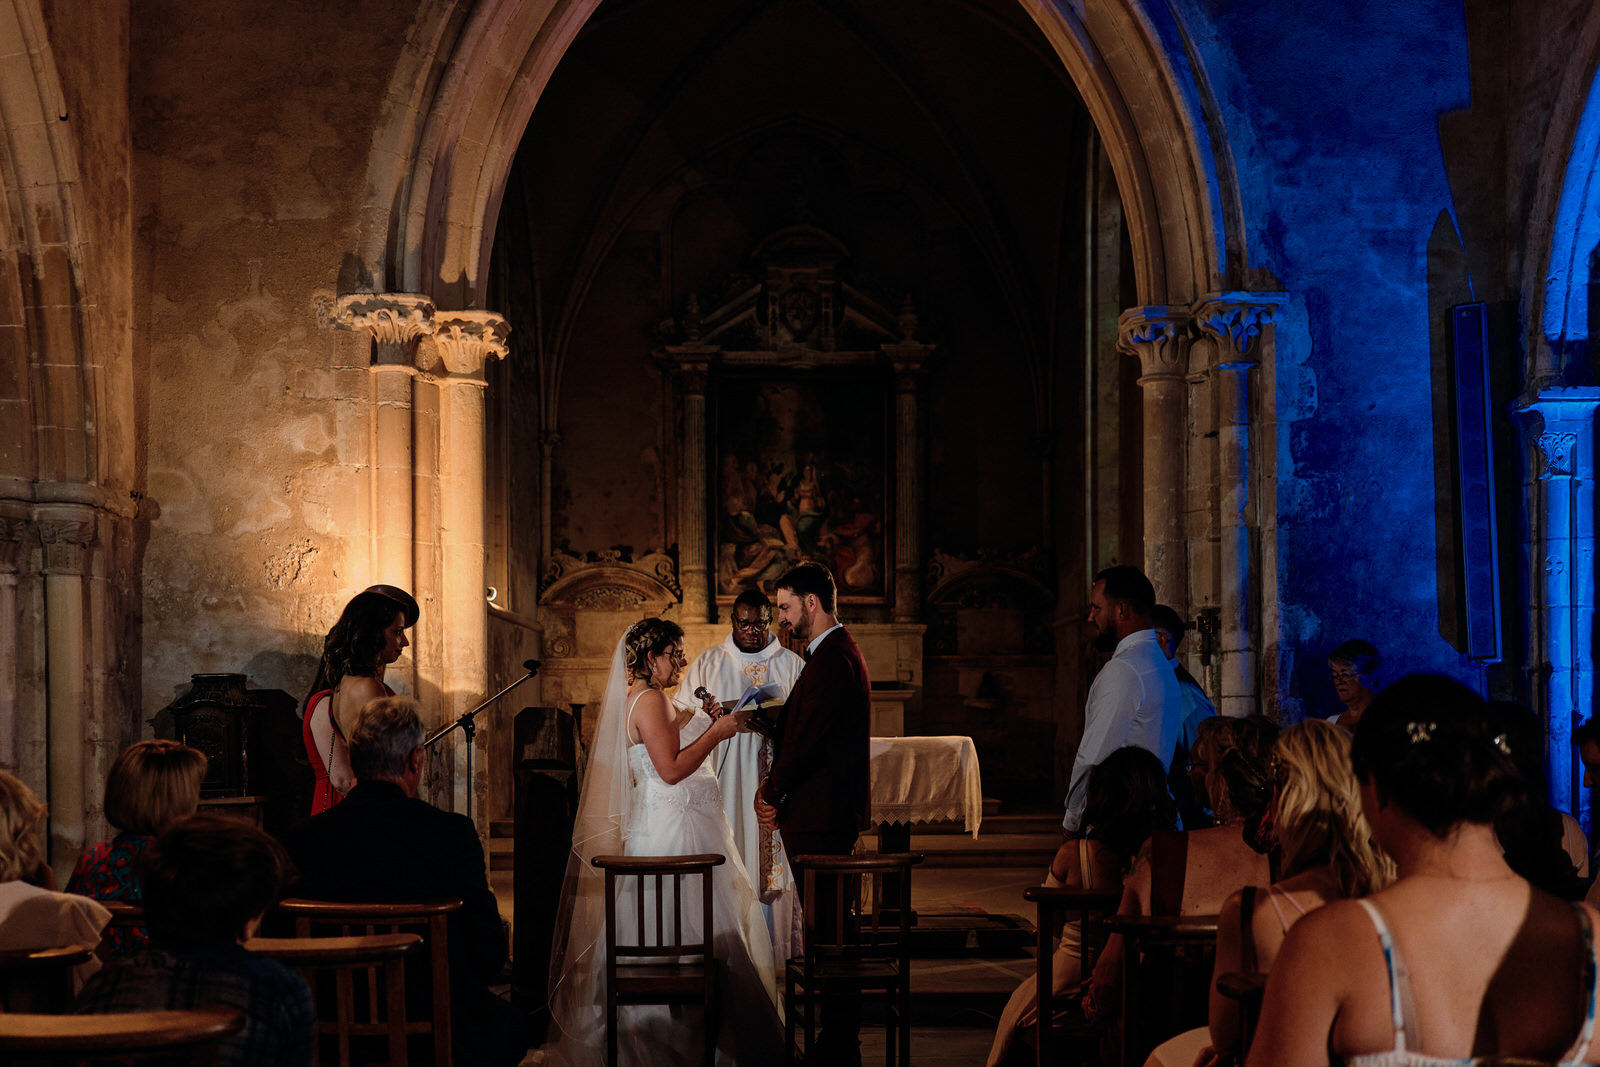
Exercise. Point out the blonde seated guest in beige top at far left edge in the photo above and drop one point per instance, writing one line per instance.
(33, 916)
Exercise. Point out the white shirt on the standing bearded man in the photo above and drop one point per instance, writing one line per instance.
(1135, 701)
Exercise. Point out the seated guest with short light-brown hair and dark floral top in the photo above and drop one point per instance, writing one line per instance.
(151, 786)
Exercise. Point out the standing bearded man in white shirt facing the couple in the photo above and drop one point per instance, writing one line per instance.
(1135, 698)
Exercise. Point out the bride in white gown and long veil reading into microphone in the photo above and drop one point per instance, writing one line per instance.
(650, 793)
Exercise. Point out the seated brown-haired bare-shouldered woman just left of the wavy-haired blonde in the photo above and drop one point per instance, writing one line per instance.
(1193, 873)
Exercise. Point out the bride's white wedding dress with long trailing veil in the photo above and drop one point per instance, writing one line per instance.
(662, 820)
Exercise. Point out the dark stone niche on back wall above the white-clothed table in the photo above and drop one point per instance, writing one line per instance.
(991, 666)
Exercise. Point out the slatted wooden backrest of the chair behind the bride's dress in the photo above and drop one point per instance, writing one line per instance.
(655, 898)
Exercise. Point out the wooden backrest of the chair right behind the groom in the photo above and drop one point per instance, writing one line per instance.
(857, 906)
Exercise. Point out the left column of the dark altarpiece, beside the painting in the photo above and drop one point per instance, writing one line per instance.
(690, 366)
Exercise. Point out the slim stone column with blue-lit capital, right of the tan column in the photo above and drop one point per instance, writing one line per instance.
(1234, 322)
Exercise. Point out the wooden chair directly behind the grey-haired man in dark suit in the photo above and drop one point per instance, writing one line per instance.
(431, 917)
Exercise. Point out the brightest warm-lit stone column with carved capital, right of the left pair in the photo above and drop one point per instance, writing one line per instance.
(465, 340)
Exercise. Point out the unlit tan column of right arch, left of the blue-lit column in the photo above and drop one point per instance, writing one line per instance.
(1161, 338)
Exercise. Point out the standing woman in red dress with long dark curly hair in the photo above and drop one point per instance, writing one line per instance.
(369, 636)
